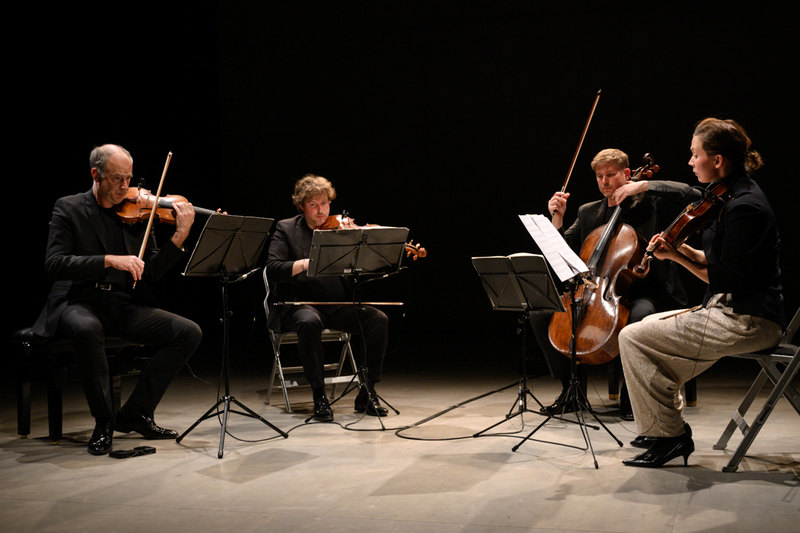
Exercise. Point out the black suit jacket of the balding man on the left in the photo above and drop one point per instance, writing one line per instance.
(76, 250)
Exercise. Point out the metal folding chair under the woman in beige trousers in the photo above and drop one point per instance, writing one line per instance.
(784, 353)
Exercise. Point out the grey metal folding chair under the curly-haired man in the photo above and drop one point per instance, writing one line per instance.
(292, 377)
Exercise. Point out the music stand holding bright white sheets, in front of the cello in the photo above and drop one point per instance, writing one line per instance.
(570, 270)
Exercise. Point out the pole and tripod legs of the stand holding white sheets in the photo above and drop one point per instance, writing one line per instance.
(575, 392)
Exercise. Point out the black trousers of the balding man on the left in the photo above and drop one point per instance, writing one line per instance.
(101, 313)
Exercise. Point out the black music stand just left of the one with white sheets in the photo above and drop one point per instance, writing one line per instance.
(521, 283)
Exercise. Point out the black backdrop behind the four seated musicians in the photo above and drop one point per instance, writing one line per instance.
(450, 121)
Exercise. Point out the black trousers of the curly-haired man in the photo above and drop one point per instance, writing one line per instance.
(368, 325)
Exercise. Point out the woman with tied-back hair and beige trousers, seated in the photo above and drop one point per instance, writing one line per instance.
(743, 305)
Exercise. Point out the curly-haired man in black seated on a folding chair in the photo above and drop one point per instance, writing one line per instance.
(287, 263)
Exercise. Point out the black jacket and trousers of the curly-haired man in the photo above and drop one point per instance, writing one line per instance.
(290, 242)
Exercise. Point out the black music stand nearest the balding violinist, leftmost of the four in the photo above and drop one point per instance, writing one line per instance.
(228, 248)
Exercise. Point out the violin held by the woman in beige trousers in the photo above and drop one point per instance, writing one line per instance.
(695, 218)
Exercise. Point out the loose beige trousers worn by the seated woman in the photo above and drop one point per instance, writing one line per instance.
(665, 350)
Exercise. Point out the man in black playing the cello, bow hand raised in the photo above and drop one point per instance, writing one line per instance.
(659, 290)
